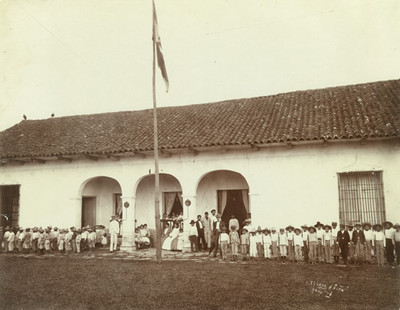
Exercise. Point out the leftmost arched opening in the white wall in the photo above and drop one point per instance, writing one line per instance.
(101, 198)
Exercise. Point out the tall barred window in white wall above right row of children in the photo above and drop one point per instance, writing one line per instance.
(361, 197)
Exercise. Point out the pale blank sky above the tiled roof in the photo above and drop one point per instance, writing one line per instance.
(94, 56)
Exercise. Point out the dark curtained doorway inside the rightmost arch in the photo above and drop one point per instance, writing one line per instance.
(235, 205)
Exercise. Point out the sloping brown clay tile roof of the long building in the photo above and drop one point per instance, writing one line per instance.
(346, 112)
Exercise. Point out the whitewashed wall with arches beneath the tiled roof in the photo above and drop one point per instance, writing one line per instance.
(286, 185)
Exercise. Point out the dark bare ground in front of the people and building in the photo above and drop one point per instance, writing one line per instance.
(186, 281)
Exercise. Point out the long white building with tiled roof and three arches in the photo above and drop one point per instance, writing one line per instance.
(295, 158)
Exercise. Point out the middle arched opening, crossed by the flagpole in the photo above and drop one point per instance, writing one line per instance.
(170, 198)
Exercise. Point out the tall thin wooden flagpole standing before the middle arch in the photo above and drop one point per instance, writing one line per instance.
(156, 167)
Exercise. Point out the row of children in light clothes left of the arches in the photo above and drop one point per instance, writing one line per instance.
(53, 240)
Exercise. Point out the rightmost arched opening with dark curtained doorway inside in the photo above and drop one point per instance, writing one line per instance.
(225, 191)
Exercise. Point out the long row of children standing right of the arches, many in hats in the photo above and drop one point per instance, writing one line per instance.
(361, 243)
